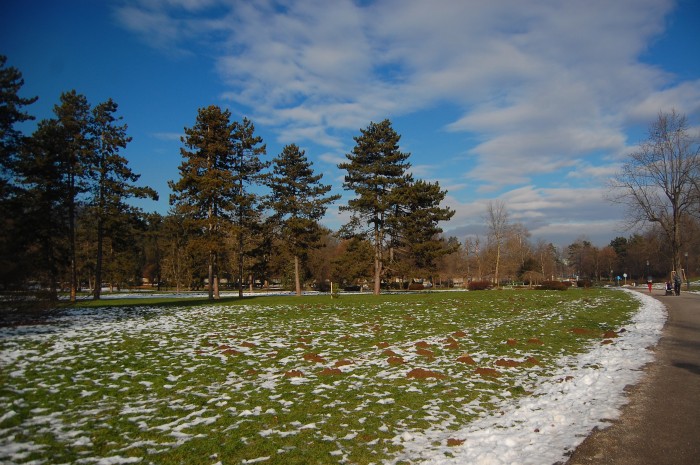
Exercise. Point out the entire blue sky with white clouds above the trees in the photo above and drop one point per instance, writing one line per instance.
(535, 103)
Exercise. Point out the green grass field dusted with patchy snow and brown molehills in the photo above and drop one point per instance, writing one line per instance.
(281, 379)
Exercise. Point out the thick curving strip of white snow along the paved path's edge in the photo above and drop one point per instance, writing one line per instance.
(544, 428)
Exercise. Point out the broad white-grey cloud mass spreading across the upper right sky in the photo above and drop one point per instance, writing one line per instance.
(545, 87)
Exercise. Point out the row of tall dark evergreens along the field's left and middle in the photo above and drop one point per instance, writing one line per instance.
(237, 219)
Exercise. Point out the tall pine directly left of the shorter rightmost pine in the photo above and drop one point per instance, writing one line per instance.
(375, 169)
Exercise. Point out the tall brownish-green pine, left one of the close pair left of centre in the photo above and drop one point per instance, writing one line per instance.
(207, 192)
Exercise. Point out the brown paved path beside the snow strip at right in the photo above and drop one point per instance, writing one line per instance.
(661, 423)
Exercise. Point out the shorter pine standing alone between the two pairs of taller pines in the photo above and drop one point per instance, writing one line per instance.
(299, 201)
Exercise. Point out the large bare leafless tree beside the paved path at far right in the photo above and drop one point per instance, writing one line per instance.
(659, 182)
